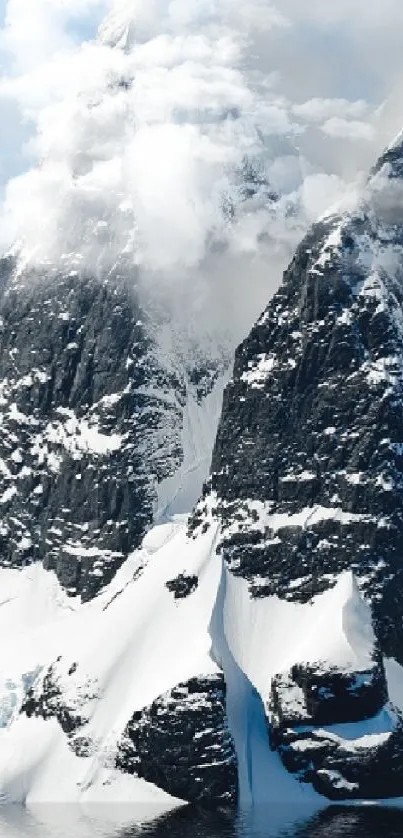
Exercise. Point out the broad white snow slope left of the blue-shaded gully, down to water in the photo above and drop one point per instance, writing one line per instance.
(131, 644)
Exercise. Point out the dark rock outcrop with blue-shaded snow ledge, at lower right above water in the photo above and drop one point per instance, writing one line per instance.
(310, 720)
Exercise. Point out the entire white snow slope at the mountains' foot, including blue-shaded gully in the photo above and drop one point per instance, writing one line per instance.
(135, 642)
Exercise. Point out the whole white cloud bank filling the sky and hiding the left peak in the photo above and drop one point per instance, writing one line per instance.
(136, 149)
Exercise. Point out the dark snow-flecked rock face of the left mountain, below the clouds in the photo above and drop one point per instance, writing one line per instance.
(91, 420)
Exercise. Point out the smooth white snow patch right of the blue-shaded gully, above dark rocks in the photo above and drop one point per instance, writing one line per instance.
(267, 636)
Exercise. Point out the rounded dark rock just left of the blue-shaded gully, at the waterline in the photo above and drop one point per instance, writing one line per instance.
(182, 744)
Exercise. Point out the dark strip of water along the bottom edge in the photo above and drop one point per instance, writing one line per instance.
(69, 822)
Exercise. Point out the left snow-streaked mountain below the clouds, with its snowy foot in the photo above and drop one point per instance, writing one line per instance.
(109, 411)
